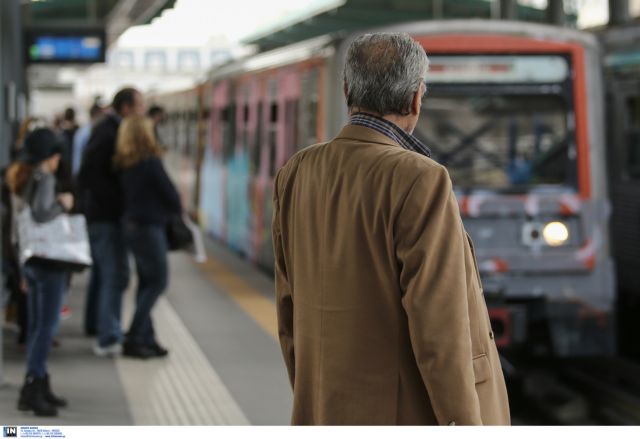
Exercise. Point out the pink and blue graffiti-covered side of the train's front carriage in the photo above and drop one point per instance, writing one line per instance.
(257, 121)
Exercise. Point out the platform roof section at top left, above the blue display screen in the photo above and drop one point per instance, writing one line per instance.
(115, 16)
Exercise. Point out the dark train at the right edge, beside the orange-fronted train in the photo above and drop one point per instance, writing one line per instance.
(621, 62)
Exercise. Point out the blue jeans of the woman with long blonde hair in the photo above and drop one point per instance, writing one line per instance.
(148, 243)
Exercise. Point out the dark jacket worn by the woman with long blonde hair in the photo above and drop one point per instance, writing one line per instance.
(150, 196)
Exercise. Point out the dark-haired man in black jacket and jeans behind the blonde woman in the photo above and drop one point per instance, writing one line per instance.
(102, 202)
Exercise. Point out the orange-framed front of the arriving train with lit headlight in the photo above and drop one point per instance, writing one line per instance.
(515, 116)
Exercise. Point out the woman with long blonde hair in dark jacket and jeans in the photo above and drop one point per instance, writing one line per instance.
(151, 200)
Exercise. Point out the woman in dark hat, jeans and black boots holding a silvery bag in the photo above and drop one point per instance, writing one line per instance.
(32, 182)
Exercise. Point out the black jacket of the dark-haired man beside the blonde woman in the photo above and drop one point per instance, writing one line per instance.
(98, 185)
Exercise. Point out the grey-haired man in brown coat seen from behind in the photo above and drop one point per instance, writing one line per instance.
(381, 314)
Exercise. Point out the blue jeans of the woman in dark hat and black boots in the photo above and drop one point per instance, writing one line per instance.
(46, 288)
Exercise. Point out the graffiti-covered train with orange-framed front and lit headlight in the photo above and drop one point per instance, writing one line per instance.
(515, 111)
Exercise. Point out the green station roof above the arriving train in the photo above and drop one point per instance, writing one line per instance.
(331, 16)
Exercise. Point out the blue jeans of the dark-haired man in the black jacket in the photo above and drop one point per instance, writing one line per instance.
(111, 267)
